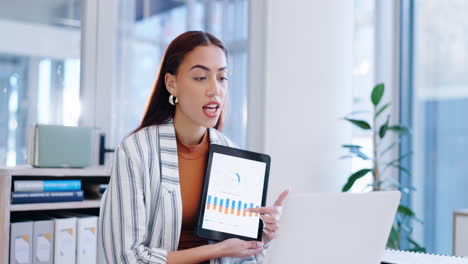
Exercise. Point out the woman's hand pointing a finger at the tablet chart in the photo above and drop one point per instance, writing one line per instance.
(270, 216)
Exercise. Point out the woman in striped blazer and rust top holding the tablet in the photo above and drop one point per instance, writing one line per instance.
(148, 212)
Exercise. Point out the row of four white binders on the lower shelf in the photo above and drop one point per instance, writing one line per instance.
(54, 238)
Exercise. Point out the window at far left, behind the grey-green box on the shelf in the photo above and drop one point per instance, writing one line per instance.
(39, 70)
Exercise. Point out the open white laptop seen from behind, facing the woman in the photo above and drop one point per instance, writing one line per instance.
(334, 228)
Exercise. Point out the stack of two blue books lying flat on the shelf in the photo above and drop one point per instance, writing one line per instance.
(46, 191)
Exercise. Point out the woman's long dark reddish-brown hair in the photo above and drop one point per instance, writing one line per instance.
(158, 109)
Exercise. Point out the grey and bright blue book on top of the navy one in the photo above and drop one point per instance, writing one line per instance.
(46, 185)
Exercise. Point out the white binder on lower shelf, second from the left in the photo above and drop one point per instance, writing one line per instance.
(43, 240)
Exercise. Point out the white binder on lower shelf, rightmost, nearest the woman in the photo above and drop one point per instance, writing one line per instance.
(86, 238)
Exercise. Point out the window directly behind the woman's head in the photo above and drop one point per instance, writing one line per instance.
(145, 30)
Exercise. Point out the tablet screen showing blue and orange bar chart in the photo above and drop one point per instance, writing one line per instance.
(235, 185)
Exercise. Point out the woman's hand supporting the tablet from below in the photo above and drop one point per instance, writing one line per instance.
(238, 248)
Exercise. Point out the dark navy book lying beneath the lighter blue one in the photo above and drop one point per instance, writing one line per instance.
(46, 197)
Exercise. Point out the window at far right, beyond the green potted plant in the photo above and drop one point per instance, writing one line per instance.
(438, 109)
